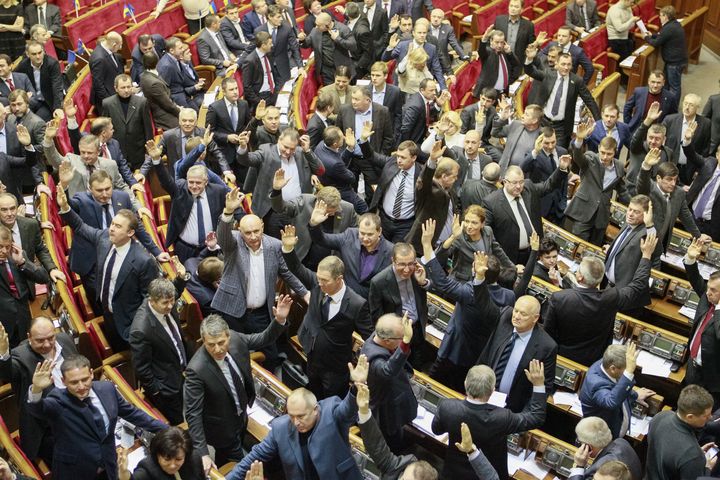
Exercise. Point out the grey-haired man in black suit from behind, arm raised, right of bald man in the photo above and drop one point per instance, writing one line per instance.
(581, 319)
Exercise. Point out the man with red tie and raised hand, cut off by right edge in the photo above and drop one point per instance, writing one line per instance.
(703, 362)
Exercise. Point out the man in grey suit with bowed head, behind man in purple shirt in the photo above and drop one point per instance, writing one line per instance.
(299, 211)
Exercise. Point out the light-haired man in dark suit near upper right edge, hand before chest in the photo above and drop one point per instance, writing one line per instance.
(683, 126)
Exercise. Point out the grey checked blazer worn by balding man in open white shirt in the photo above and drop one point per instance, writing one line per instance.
(231, 294)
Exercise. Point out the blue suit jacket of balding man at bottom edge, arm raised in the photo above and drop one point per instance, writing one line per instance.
(327, 445)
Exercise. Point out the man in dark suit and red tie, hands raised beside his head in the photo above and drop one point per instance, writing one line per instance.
(500, 67)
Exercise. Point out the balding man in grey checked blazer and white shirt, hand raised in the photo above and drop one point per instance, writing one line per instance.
(253, 263)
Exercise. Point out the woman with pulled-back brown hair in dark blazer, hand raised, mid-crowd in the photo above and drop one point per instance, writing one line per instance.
(469, 237)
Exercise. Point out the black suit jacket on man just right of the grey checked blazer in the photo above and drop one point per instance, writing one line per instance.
(329, 344)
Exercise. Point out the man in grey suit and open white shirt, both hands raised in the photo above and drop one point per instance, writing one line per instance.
(299, 163)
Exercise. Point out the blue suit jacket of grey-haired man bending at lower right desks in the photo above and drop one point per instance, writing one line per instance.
(605, 397)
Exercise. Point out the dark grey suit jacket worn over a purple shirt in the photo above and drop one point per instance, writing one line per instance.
(347, 244)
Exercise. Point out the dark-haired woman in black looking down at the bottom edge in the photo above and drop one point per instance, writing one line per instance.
(171, 453)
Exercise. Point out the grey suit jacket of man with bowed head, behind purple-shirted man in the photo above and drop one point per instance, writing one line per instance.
(300, 210)
